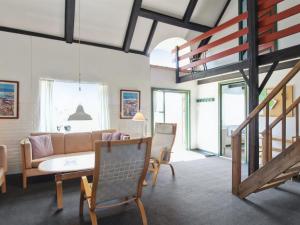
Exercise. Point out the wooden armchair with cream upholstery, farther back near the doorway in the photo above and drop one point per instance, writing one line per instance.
(162, 144)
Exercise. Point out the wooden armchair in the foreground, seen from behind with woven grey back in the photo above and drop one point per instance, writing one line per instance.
(120, 169)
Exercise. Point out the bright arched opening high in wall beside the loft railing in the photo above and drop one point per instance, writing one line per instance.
(162, 55)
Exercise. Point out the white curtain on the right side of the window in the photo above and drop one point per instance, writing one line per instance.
(104, 118)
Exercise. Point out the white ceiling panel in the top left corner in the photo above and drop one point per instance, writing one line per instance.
(43, 16)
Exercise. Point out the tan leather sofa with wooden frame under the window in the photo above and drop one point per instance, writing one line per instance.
(63, 145)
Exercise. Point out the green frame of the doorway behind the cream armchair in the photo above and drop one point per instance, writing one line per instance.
(188, 110)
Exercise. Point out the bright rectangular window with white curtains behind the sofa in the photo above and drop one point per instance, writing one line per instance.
(60, 99)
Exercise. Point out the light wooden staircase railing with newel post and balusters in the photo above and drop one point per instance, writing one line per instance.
(237, 134)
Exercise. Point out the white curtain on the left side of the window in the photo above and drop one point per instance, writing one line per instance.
(46, 106)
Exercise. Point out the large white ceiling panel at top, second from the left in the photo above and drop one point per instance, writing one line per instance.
(103, 21)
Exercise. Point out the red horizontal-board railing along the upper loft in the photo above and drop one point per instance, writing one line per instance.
(267, 36)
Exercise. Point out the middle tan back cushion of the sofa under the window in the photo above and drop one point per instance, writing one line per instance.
(78, 142)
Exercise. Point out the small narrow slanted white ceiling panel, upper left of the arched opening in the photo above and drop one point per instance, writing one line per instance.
(141, 33)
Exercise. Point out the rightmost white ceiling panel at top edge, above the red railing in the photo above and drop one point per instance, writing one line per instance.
(207, 11)
